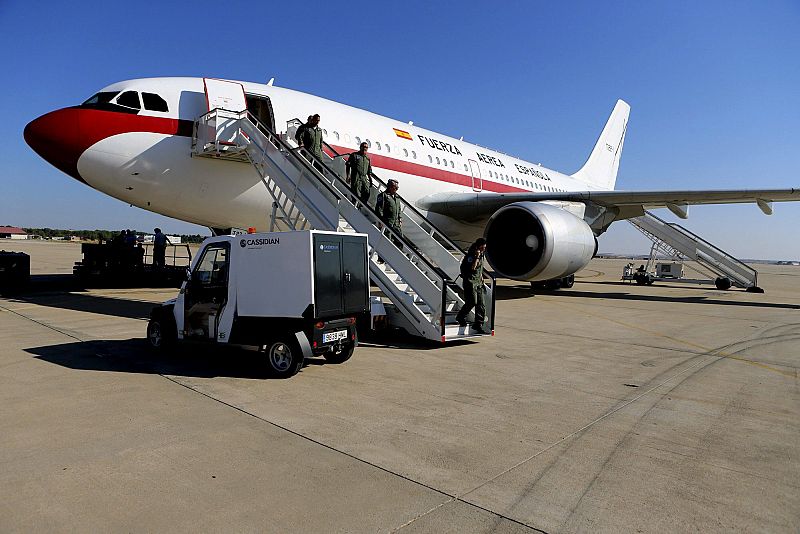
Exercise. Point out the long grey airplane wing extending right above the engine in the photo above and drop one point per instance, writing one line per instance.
(476, 206)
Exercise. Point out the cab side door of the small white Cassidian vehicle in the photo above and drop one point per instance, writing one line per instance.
(207, 292)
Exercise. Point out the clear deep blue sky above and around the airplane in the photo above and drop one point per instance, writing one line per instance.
(713, 88)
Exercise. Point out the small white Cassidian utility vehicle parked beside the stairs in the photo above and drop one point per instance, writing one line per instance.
(291, 294)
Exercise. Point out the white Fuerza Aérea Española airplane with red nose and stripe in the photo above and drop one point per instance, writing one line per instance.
(132, 141)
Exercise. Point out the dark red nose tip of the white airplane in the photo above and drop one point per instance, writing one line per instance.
(55, 136)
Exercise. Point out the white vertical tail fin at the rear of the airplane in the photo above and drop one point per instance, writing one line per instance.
(600, 170)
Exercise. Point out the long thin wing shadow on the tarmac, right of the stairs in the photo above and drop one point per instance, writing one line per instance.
(519, 292)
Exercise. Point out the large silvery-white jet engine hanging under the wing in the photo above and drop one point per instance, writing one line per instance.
(535, 241)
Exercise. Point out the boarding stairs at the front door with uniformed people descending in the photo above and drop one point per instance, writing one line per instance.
(417, 271)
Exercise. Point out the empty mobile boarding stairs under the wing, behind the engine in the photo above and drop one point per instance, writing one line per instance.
(678, 242)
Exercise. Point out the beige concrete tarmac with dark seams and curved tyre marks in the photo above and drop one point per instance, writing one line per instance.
(605, 408)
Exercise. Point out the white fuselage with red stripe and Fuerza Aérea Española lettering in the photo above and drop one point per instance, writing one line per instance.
(150, 166)
